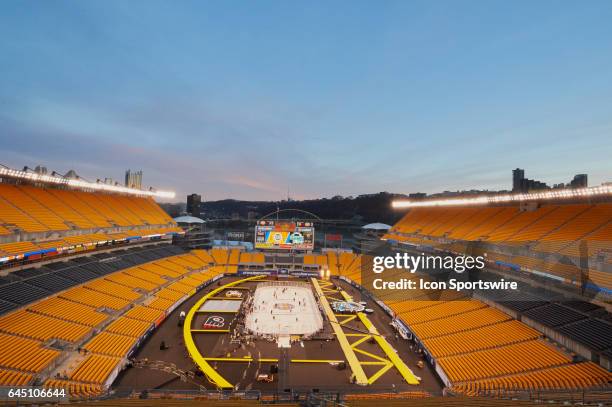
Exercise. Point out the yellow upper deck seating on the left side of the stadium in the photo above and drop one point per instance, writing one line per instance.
(42, 221)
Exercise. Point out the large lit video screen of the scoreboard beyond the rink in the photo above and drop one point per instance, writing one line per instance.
(270, 234)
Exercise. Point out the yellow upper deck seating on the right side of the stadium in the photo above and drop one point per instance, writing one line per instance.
(547, 239)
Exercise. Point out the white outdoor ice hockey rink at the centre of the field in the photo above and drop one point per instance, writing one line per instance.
(280, 309)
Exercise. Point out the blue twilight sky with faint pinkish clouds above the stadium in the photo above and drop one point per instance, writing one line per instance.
(242, 99)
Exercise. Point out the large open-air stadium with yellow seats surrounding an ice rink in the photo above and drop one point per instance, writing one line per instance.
(99, 301)
